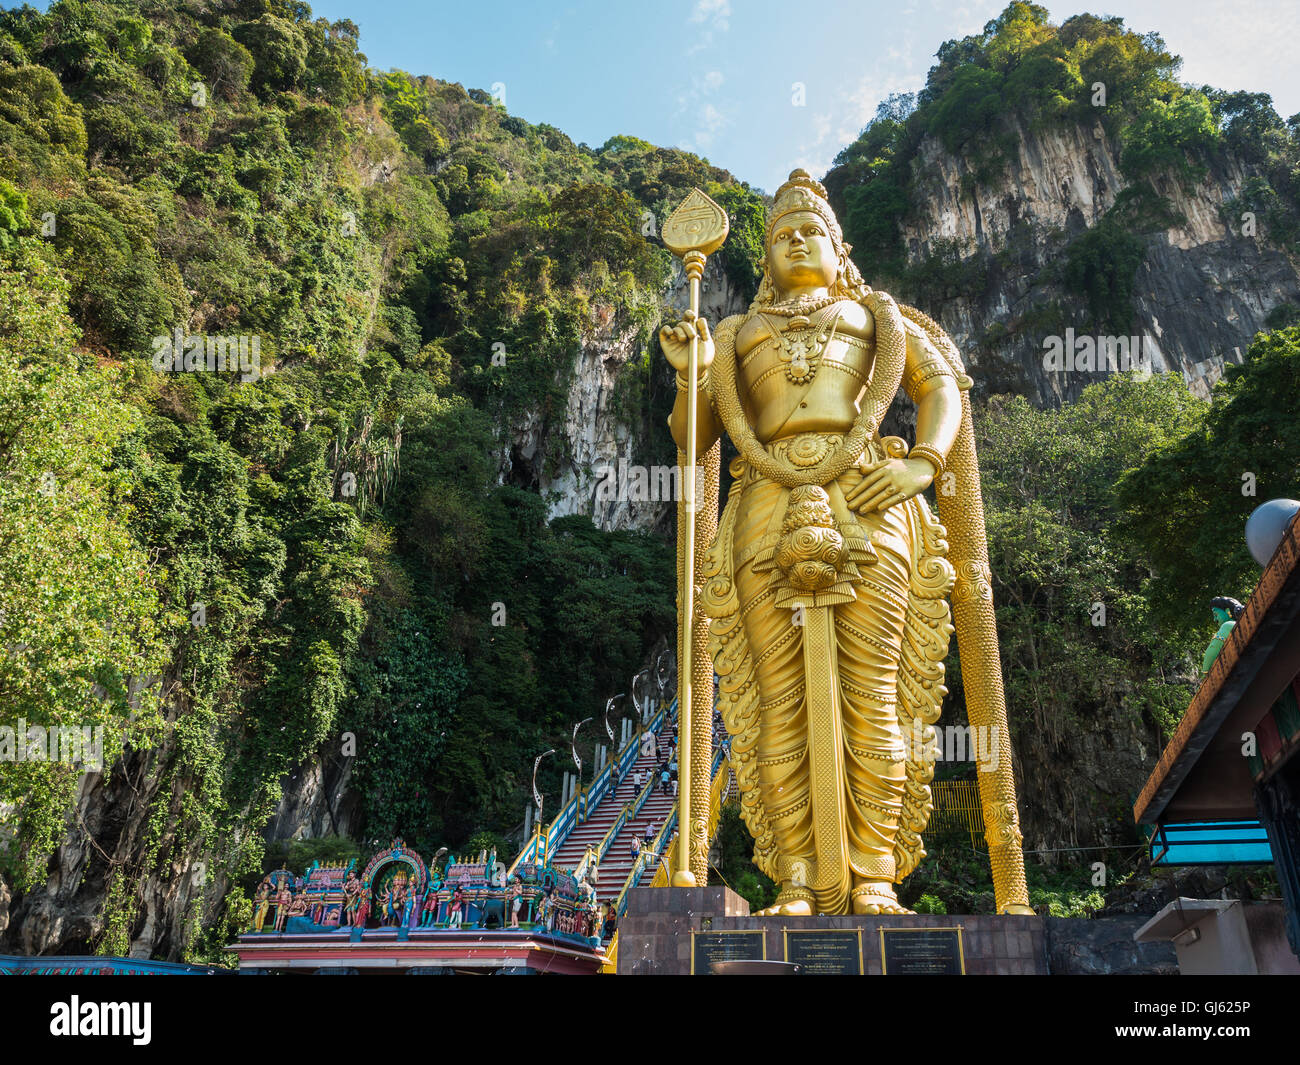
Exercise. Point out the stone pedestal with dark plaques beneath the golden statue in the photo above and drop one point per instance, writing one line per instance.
(656, 934)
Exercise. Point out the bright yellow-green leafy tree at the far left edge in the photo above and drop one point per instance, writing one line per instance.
(80, 618)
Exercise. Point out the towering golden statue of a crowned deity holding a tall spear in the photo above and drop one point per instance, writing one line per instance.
(824, 588)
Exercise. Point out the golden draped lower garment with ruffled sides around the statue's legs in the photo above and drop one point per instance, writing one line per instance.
(891, 629)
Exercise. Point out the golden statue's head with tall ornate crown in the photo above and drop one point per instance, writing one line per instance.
(805, 249)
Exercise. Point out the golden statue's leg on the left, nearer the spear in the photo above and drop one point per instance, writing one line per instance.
(778, 650)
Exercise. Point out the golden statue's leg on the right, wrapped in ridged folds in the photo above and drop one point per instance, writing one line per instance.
(870, 634)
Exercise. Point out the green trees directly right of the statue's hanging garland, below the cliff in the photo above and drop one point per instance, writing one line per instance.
(1084, 660)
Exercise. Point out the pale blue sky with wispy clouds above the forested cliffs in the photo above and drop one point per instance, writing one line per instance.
(717, 76)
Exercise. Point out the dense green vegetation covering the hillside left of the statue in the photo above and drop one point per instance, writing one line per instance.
(257, 568)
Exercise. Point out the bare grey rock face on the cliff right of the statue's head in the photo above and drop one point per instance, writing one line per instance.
(1201, 295)
